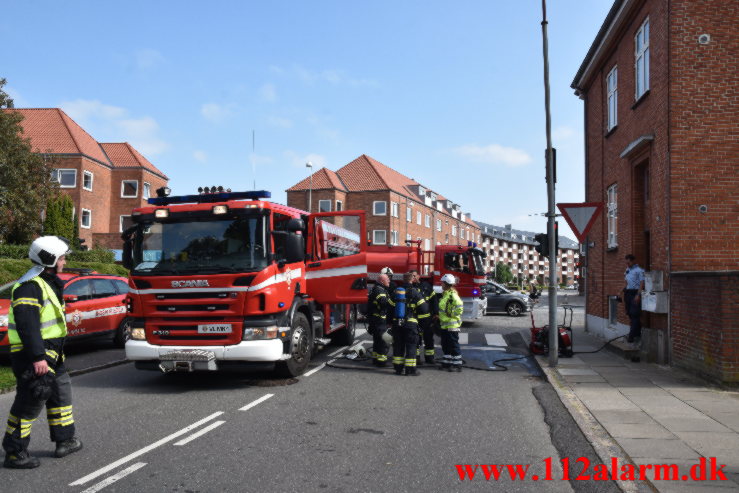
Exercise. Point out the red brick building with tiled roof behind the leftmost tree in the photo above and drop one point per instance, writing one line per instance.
(105, 181)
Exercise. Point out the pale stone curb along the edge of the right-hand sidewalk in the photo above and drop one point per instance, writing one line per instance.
(603, 443)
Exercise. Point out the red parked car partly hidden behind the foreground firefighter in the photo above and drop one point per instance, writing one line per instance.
(95, 305)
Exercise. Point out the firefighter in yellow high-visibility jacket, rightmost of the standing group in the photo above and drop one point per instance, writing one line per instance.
(450, 318)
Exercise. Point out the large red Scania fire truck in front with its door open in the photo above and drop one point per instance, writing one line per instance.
(223, 279)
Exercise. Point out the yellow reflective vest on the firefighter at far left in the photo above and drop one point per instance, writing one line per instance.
(51, 312)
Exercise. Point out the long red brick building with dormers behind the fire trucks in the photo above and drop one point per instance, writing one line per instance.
(398, 208)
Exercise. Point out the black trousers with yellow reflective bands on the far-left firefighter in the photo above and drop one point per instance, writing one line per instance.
(26, 408)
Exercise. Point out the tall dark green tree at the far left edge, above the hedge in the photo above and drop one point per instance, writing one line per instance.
(25, 187)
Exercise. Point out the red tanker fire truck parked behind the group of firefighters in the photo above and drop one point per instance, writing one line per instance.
(464, 262)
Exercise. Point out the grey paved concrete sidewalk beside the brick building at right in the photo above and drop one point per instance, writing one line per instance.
(649, 414)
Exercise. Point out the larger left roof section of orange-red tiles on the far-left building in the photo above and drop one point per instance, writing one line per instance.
(52, 130)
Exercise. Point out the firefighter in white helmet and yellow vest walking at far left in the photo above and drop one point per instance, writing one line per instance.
(36, 331)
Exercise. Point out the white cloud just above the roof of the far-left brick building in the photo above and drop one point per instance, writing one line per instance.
(108, 123)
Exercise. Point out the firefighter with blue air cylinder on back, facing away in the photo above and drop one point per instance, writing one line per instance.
(405, 326)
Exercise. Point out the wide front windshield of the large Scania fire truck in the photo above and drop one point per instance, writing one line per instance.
(202, 247)
